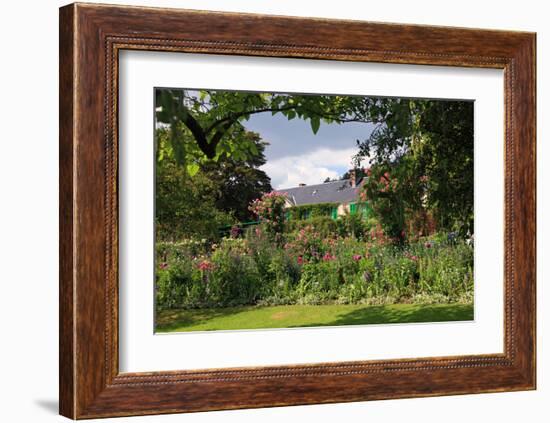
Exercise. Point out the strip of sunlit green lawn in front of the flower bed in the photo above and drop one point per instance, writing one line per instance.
(254, 317)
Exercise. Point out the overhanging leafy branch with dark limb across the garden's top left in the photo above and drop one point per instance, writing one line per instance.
(213, 119)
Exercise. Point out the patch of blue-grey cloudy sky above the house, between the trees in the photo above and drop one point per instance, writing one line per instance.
(295, 155)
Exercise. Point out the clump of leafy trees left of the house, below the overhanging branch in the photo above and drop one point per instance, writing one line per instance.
(217, 194)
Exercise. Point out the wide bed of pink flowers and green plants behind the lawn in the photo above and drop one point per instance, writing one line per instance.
(312, 269)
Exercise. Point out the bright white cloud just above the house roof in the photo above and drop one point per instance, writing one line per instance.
(310, 168)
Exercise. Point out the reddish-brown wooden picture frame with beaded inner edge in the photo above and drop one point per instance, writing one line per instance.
(91, 36)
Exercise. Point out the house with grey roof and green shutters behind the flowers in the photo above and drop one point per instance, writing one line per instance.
(337, 198)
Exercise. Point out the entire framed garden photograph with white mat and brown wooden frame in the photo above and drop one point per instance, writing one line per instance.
(262, 211)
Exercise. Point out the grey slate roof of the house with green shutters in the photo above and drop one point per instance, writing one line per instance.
(329, 192)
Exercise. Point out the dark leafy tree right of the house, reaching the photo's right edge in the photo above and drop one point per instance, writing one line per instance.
(427, 148)
